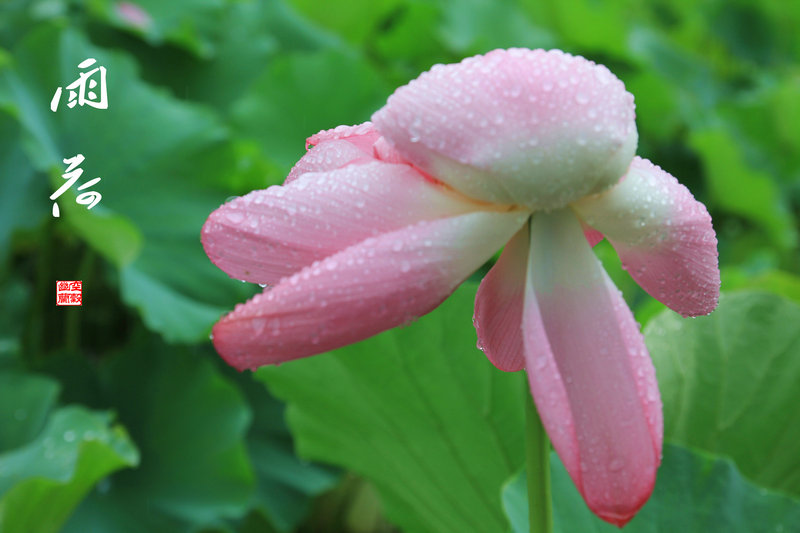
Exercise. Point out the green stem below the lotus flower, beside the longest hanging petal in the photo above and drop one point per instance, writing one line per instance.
(540, 510)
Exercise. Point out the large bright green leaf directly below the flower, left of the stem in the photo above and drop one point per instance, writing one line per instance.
(420, 412)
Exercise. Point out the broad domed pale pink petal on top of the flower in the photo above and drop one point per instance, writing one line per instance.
(527, 127)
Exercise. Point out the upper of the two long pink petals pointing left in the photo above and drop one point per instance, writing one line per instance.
(269, 234)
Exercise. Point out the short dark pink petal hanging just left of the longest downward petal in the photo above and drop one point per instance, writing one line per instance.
(499, 304)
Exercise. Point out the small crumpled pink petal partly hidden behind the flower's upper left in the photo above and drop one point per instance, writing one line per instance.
(335, 148)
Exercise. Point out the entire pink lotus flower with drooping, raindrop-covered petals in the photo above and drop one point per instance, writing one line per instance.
(378, 223)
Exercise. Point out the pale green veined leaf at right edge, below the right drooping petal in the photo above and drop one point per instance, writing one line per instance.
(729, 384)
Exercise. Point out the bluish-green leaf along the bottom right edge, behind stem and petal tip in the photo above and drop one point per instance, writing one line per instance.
(694, 493)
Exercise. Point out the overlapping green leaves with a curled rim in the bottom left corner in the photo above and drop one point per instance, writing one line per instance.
(75, 449)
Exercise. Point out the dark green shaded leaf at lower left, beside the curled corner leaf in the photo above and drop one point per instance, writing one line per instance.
(190, 424)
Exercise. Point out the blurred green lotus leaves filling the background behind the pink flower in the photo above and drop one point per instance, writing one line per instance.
(118, 416)
